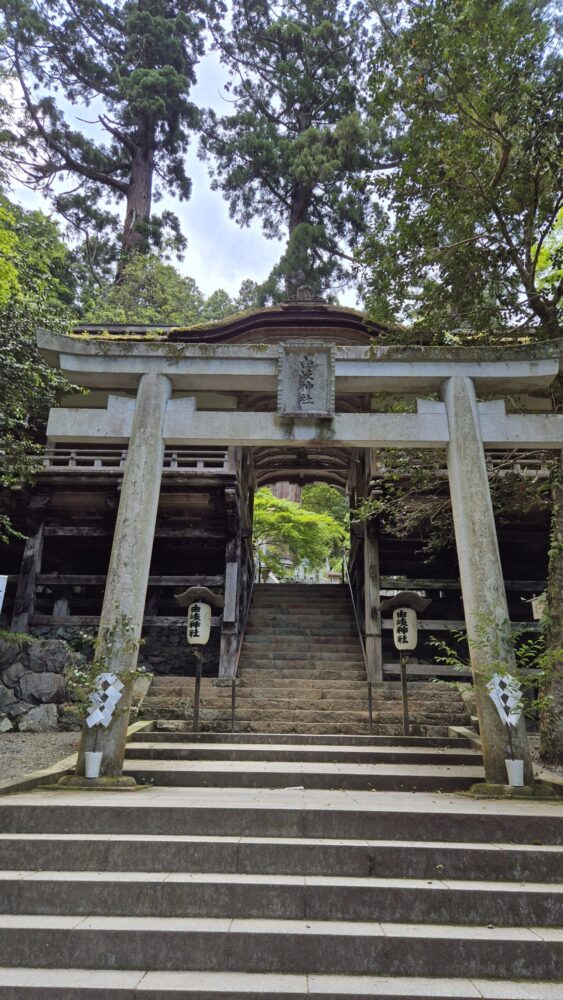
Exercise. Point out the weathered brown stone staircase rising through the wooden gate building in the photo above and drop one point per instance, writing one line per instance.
(302, 671)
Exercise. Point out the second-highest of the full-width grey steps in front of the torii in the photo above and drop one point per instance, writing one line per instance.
(108, 851)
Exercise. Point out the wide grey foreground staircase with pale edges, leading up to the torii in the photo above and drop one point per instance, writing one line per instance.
(277, 874)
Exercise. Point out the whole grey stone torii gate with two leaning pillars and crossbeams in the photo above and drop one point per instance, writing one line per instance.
(306, 377)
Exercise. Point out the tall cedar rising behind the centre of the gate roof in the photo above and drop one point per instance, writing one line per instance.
(293, 149)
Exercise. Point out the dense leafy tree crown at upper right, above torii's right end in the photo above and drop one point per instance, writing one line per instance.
(472, 93)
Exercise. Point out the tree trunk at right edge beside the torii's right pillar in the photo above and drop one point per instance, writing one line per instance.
(551, 723)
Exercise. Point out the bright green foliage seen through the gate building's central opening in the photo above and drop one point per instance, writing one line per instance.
(287, 530)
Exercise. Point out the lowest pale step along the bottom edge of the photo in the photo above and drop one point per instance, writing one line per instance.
(104, 984)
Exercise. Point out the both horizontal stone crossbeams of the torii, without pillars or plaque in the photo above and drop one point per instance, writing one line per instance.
(232, 369)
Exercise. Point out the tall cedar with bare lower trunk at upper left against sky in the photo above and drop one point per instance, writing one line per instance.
(133, 61)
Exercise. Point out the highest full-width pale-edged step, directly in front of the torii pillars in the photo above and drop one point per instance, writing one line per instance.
(373, 816)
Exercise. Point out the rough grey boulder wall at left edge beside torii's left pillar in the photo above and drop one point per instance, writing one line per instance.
(33, 682)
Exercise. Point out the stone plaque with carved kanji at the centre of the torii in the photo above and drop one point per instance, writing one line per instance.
(306, 380)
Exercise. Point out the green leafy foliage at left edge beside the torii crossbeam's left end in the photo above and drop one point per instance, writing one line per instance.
(35, 291)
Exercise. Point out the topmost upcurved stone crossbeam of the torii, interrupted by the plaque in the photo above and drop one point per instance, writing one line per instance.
(118, 364)
